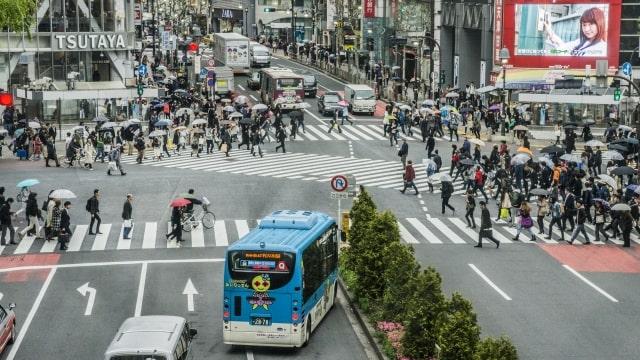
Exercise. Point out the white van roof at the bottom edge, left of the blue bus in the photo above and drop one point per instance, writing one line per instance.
(152, 337)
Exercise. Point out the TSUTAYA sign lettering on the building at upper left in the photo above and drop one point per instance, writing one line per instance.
(89, 41)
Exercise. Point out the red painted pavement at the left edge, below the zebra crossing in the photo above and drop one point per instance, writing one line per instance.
(16, 261)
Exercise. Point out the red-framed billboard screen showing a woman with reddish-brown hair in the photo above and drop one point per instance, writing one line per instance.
(572, 33)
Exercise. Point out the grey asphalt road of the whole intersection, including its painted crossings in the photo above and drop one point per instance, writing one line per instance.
(555, 301)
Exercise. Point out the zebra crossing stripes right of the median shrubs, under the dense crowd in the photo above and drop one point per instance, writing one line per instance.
(454, 231)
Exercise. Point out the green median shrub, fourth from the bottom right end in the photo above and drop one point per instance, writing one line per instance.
(399, 275)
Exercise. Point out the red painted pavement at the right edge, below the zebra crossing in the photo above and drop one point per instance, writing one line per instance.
(596, 258)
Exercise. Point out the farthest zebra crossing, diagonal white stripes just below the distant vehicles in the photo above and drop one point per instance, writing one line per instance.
(320, 132)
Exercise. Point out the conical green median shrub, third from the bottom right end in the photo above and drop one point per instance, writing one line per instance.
(426, 308)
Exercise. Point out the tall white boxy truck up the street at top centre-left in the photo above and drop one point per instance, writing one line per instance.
(232, 50)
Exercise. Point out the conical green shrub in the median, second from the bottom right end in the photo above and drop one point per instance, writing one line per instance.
(459, 332)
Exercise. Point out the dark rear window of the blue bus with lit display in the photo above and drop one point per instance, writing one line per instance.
(245, 265)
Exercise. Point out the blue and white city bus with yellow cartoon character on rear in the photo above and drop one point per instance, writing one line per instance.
(280, 280)
